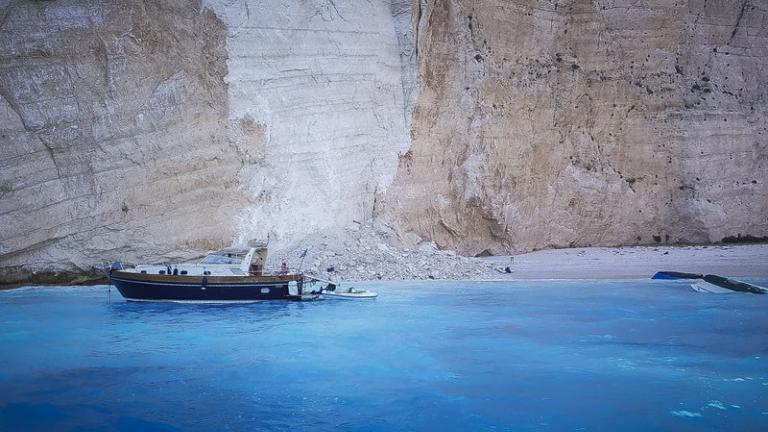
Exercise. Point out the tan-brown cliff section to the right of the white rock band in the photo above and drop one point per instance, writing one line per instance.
(546, 123)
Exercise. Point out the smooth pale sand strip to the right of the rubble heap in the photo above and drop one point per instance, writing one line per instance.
(638, 262)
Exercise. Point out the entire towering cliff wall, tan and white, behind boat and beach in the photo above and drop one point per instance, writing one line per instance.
(155, 130)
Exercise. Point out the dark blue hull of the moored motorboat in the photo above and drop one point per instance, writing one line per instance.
(199, 289)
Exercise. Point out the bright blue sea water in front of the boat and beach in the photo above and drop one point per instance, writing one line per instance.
(424, 356)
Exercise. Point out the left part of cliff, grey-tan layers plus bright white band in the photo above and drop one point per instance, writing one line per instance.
(156, 130)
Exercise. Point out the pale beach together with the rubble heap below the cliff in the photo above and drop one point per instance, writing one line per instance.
(367, 253)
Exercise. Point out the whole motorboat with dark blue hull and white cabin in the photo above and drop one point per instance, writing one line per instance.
(228, 275)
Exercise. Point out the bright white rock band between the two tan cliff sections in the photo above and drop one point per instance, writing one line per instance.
(323, 82)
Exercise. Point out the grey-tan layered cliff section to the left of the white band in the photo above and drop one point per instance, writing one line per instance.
(114, 138)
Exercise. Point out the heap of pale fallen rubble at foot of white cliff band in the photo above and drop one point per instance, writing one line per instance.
(373, 251)
